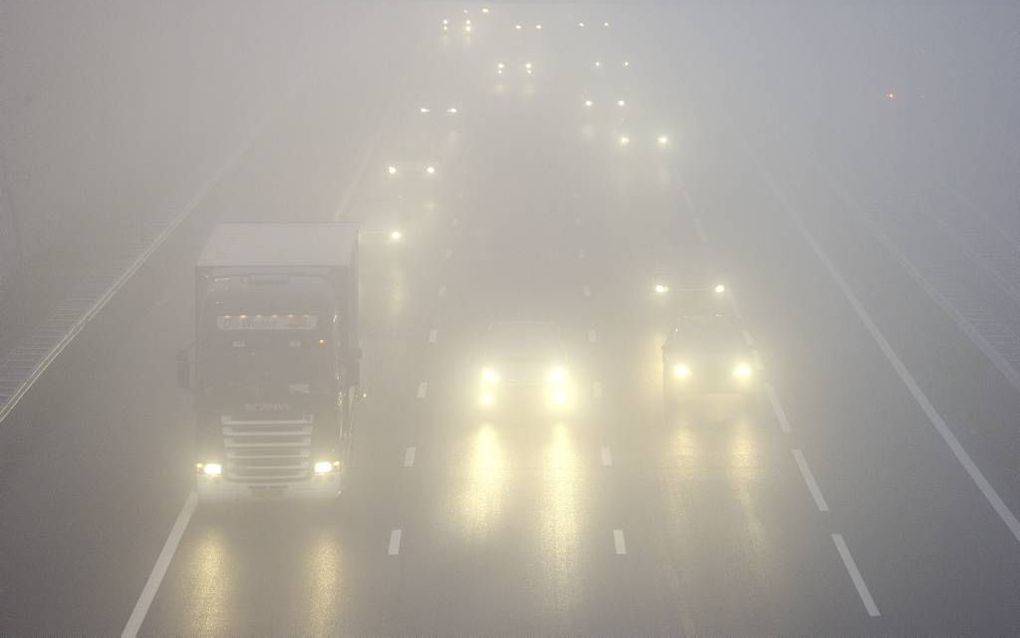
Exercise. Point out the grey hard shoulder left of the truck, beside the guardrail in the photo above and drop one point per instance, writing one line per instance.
(143, 438)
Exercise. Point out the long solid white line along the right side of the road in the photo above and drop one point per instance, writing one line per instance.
(901, 370)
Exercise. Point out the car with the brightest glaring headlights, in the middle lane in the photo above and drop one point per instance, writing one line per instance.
(525, 362)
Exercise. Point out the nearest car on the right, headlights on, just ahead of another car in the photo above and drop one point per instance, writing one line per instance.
(705, 355)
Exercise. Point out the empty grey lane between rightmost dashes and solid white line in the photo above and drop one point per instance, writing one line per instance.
(924, 533)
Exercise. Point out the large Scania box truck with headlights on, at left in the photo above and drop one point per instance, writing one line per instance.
(277, 360)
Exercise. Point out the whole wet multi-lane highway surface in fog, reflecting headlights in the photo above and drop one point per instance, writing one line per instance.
(869, 488)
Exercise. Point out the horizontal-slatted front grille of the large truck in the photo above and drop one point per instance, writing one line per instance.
(268, 452)
